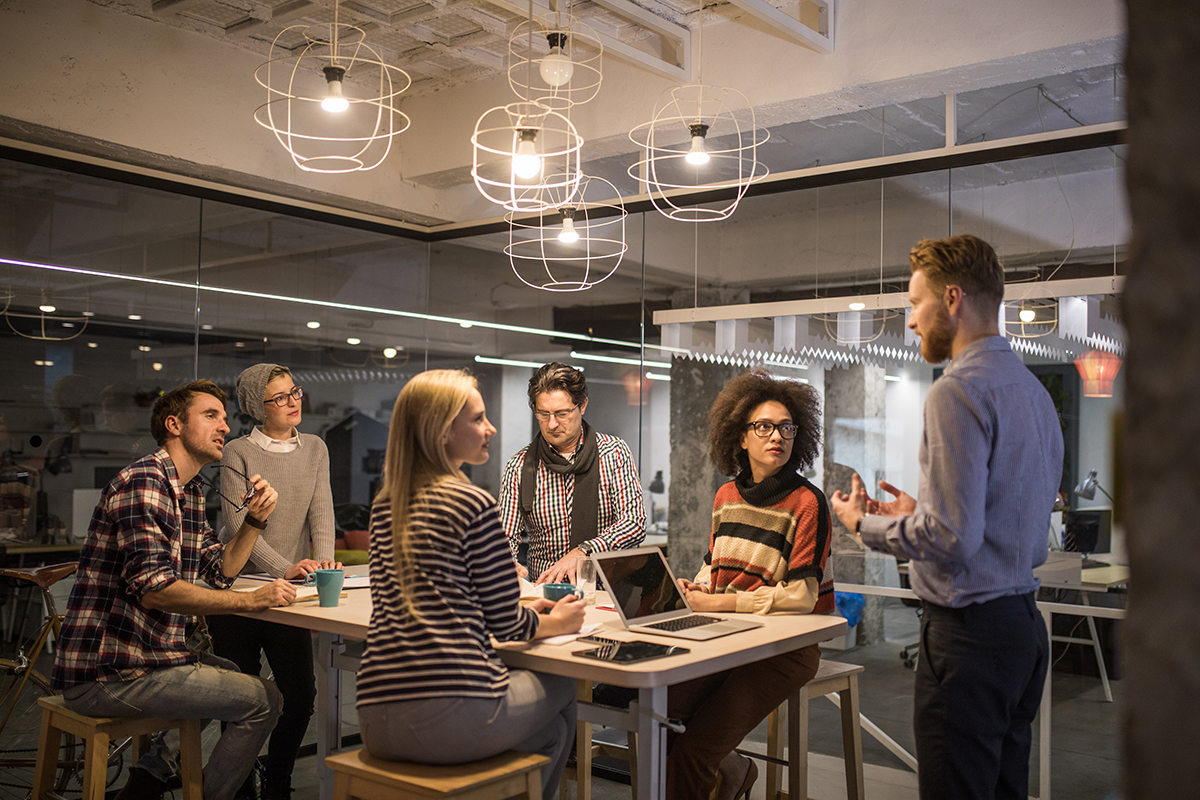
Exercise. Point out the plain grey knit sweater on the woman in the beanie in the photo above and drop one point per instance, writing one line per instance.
(303, 522)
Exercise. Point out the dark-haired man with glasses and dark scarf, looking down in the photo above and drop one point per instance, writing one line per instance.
(573, 490)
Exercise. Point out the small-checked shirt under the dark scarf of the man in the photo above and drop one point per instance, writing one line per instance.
(622, 513)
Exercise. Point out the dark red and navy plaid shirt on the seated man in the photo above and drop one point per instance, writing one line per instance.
(147, 533)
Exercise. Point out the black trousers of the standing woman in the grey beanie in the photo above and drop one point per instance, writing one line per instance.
(290, 655)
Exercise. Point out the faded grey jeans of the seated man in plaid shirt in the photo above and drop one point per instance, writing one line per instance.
(213, 689)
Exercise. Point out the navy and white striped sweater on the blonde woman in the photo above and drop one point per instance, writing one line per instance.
(467, 590)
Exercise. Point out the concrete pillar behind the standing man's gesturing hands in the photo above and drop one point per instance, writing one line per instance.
(856, 442)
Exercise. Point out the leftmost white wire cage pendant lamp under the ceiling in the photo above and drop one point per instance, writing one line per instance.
(311, 110)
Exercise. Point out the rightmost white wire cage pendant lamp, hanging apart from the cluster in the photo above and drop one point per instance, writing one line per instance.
(701, 139)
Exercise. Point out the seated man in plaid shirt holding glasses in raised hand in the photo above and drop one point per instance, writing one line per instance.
(124, 646)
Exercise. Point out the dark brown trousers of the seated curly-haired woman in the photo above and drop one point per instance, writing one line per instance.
(722, 709)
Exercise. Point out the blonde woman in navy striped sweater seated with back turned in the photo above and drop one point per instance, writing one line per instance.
(433, 689)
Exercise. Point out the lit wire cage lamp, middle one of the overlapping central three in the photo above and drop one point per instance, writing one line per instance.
(526, 158)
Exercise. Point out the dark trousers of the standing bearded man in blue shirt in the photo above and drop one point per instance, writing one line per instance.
(980, 682)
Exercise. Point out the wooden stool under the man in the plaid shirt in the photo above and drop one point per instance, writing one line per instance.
(98, 733)
